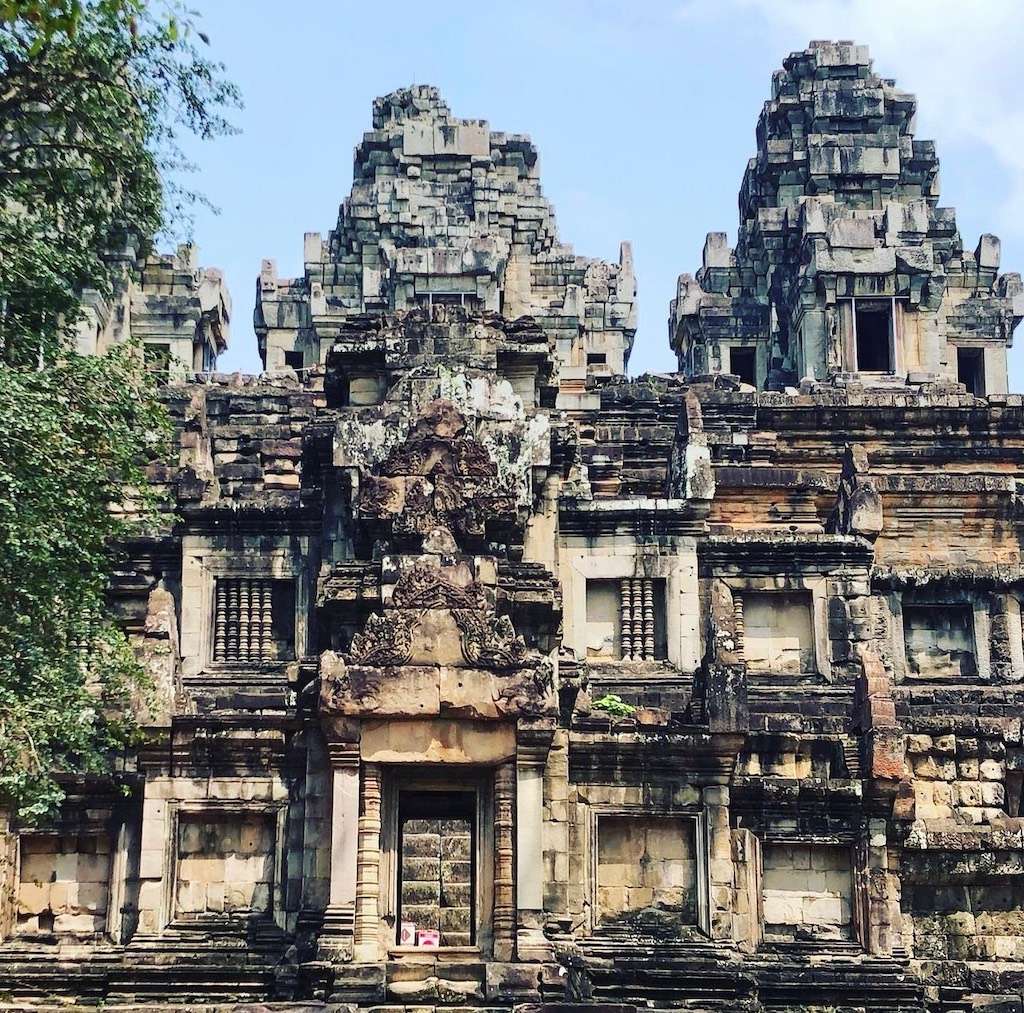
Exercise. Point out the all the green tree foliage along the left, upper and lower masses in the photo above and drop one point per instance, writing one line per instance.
(94, 95)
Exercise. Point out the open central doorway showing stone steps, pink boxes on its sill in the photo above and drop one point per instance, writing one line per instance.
(438, 871)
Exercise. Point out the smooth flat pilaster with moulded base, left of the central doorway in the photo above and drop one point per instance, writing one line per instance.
(339, 919)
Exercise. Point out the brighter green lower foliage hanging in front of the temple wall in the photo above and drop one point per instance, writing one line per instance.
(72, 486)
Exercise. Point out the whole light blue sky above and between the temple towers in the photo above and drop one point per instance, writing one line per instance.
(644, 113)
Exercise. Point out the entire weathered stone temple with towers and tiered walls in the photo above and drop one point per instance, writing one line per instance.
(488, 678)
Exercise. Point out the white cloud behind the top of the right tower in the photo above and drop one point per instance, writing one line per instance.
(961, 58)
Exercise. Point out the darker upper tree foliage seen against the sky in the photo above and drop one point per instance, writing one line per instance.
(91, 157)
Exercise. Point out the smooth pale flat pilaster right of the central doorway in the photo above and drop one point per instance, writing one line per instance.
(532, 754)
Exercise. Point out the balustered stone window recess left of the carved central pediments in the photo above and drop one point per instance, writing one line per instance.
(254, 621)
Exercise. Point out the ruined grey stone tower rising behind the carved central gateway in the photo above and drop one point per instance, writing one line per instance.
(447, 213)
